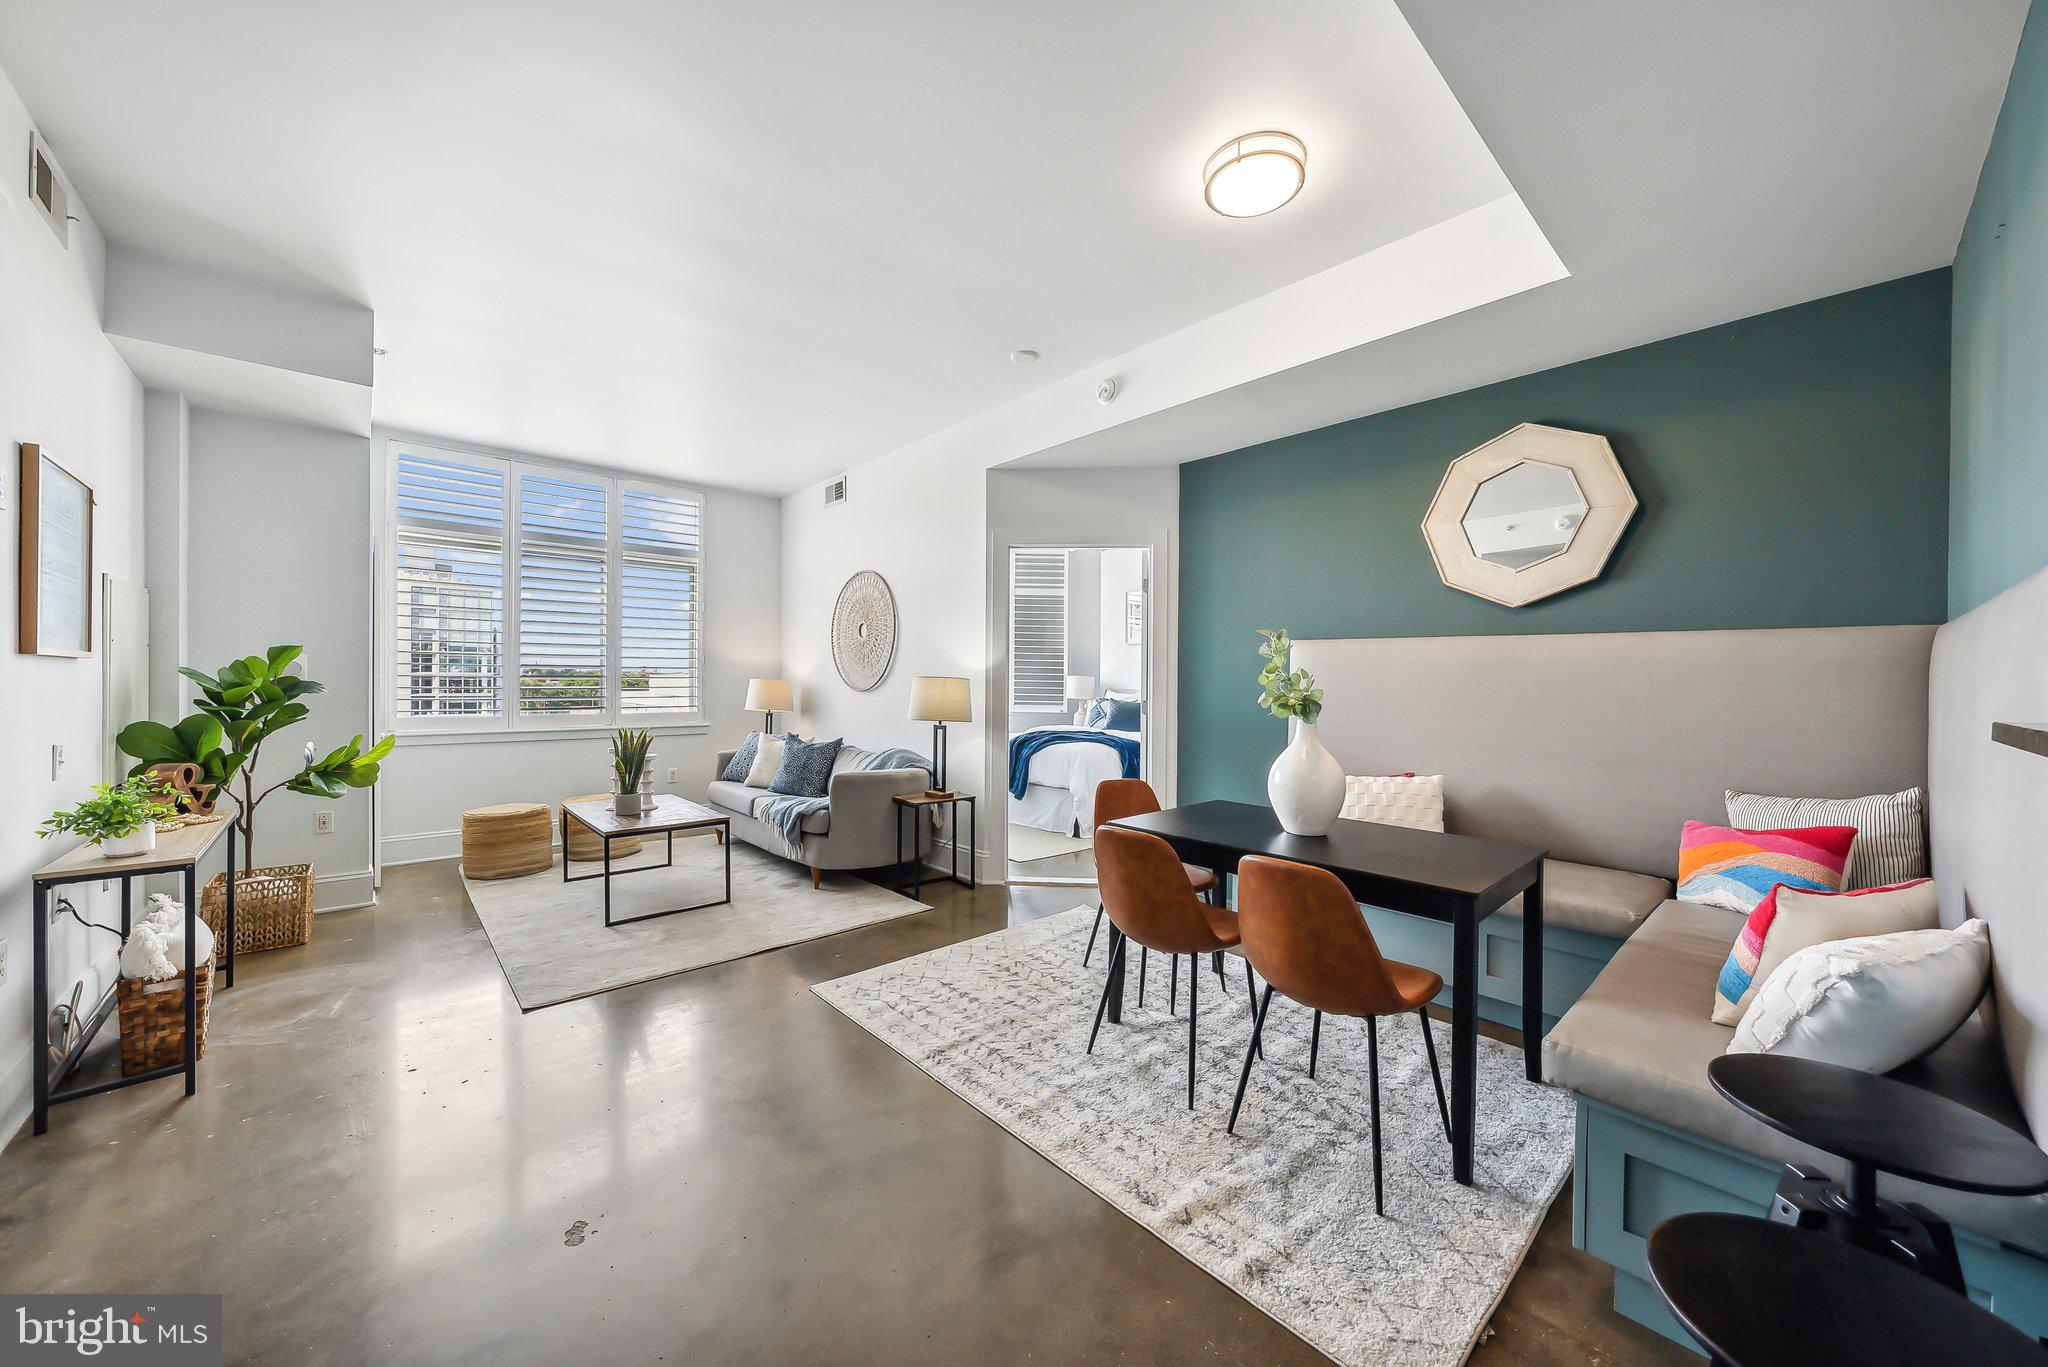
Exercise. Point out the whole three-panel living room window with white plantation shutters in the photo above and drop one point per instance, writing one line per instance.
(542, 597)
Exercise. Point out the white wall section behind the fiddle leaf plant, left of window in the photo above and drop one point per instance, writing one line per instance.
(282, 554)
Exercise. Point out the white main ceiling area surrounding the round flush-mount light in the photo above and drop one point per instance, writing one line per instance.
(740, 243)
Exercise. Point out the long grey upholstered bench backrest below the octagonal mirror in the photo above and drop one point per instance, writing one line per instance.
(1601, 747)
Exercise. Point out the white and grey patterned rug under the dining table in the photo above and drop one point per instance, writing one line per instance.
(1283, 1210)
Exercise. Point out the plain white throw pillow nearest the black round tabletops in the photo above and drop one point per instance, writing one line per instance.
(1871, 1003)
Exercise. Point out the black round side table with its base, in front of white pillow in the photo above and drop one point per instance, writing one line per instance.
(1877, 1126)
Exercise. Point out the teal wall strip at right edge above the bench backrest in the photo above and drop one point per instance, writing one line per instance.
(2000, 481)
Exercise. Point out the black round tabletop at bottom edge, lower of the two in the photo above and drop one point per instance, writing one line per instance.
(1758, 1294)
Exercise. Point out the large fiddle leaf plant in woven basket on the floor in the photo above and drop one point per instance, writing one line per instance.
(241, 708)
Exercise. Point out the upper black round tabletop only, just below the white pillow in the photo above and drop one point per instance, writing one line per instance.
(1881, 1122)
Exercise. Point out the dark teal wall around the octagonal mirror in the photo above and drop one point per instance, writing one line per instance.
(1791, 470)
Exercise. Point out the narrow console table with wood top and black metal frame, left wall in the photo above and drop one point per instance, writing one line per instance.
(177, 852)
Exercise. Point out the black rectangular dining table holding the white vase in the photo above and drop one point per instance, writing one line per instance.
(1457, 880)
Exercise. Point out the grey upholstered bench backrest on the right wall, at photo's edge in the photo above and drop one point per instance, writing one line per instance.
(1992, 815)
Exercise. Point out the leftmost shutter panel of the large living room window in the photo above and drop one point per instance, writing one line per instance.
(450, 558)
